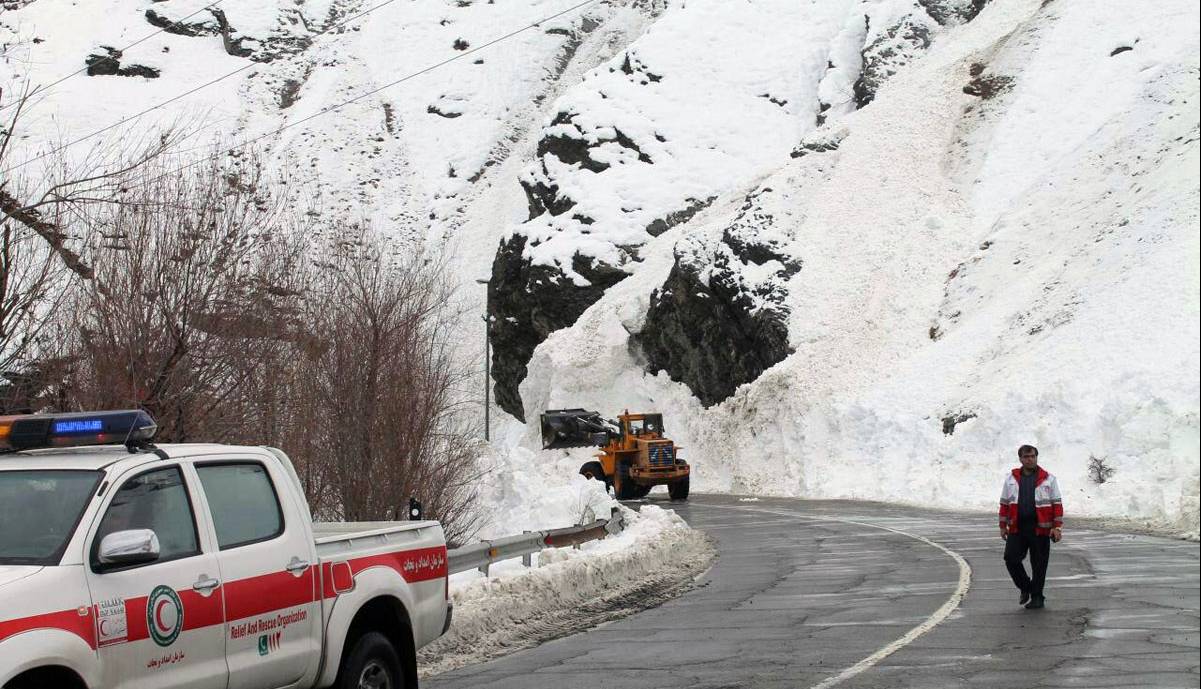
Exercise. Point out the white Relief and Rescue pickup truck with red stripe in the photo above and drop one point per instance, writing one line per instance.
(134, 566)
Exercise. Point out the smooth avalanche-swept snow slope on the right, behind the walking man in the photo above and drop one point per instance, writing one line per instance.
(1001, 249)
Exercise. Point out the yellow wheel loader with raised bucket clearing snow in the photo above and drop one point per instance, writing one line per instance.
(635, 458)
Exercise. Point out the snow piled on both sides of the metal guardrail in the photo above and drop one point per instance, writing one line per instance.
(654, 559)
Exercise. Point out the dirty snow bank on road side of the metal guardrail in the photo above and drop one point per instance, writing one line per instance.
(655, 559)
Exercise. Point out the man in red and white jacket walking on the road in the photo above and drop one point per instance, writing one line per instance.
(1031, 519)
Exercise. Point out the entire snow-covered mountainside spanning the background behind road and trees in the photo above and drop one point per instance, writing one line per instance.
(850, 248)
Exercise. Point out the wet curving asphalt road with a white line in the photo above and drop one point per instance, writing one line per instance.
(821, 595)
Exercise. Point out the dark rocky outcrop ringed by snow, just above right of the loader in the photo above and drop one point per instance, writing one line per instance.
(712, 326)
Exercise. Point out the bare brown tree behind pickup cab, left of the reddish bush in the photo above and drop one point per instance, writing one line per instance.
(183, 302)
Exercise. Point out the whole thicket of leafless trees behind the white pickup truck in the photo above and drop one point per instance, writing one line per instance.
(193, 290)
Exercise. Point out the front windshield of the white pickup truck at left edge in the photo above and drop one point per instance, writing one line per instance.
(39, 512)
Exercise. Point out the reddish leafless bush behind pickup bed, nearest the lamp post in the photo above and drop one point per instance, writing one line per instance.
(385, 423)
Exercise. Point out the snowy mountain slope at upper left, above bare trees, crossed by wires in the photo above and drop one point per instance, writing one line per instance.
(413, 157)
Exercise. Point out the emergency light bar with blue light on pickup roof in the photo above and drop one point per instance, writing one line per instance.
(130, 428)
